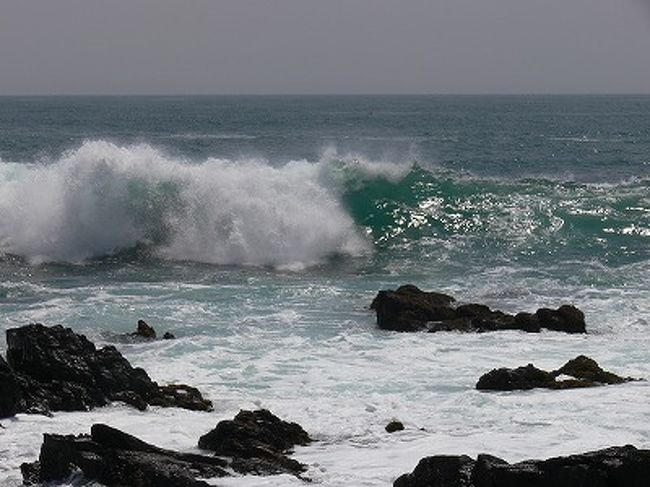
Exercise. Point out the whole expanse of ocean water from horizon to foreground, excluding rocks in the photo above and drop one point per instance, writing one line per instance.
(258, 230)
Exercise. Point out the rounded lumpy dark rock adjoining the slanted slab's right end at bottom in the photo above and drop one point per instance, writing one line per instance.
(258, 442)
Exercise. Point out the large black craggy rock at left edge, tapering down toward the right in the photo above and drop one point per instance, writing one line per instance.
(55, 369)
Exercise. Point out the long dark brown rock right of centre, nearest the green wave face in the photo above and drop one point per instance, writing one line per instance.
(410, 309)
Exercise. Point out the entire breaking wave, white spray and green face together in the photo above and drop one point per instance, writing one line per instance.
(102, 198)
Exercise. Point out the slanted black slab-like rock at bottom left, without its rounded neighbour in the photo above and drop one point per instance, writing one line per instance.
(115, 458)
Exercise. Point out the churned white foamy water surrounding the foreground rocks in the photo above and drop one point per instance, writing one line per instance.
(345, 388)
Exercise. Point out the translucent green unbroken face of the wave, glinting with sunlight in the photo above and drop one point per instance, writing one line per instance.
(536, 220)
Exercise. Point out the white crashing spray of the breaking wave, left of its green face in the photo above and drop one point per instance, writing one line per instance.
(102, 197)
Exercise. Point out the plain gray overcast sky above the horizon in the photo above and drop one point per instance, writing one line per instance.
(325, 46)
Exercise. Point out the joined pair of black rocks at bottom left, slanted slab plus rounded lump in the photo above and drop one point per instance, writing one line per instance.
(254, 442)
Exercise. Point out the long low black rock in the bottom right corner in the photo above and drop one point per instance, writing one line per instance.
(623, 466)
